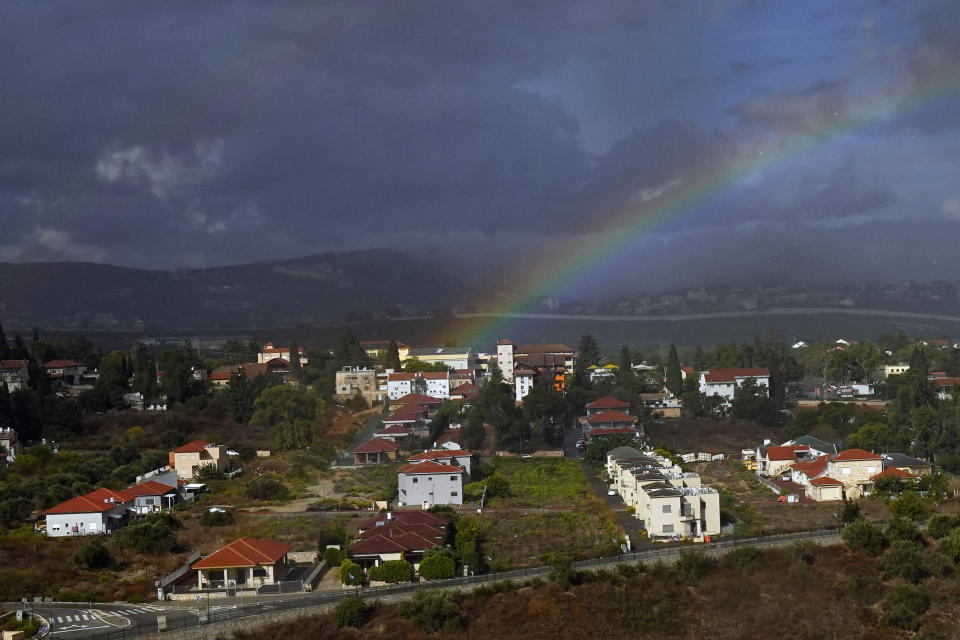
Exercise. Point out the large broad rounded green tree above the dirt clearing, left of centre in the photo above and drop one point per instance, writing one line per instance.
(289, 413)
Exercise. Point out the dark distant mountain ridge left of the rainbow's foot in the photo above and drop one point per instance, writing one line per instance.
(321, 288)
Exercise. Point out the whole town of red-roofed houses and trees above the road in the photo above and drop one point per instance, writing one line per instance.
(288, 469)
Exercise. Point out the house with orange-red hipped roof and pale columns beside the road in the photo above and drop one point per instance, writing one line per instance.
(246, 562)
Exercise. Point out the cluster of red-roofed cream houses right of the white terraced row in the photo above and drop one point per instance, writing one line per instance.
(824, 472)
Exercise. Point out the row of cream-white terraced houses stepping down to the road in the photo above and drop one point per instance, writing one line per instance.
(669, 502)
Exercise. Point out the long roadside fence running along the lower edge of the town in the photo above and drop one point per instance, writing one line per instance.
(202, 612)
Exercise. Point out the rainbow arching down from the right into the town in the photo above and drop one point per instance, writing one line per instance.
(580, 254)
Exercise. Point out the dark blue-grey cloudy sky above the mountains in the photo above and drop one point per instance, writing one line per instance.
(186, 134)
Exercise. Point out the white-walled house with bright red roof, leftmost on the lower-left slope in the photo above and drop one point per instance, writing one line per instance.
(99, 512)
